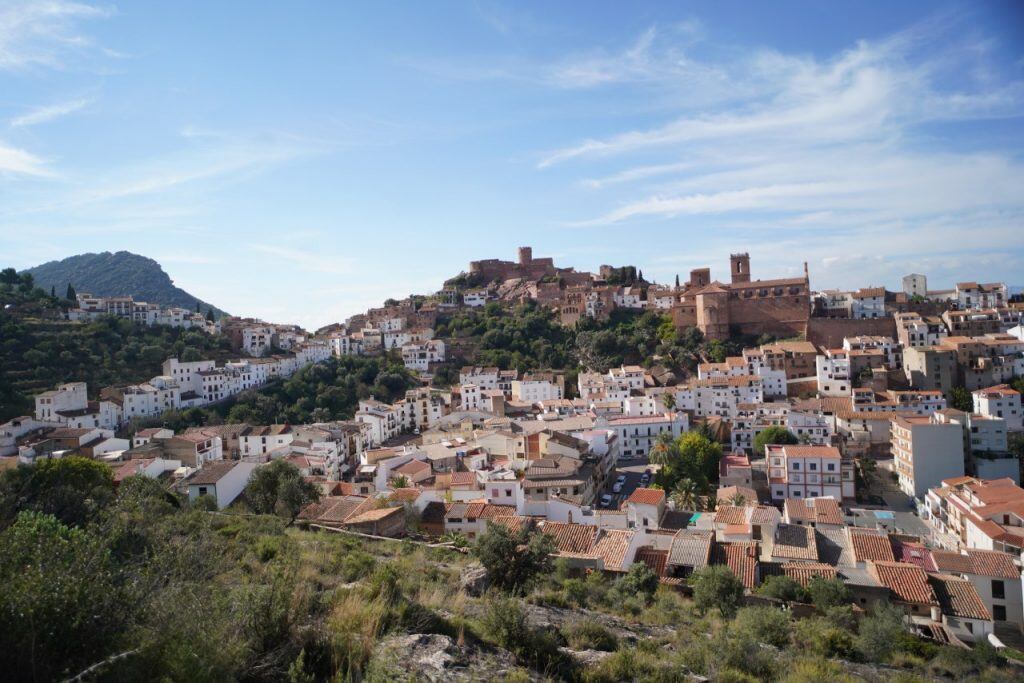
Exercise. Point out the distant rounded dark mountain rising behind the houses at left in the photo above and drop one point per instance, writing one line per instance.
(122, 274)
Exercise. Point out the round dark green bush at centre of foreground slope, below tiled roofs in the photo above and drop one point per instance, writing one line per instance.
(515, 562)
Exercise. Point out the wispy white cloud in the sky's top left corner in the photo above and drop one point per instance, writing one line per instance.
(47, 33)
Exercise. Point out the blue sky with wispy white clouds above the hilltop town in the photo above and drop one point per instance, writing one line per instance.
(304, 161)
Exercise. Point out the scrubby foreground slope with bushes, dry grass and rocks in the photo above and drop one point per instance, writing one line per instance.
(138, 584)
